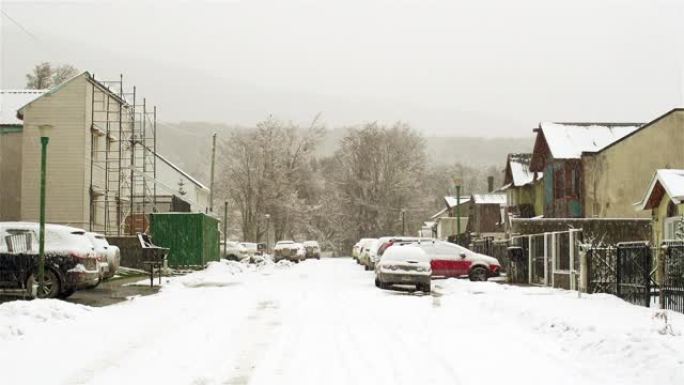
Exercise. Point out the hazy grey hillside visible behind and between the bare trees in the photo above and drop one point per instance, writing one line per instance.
(188, 144)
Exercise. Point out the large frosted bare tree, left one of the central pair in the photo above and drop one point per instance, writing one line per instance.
(266, 171)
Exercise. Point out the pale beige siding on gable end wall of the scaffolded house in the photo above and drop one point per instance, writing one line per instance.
(67, 200)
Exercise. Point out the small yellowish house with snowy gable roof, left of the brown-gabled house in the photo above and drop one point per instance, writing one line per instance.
(523, 187)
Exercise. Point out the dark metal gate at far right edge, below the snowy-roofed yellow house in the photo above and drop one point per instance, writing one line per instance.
(672, 287)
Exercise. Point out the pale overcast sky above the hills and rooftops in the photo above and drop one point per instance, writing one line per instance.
(453, 67)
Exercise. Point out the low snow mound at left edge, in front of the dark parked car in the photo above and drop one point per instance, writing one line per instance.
(20, 317)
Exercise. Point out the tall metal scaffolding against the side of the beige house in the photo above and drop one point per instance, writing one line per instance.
(122, 159)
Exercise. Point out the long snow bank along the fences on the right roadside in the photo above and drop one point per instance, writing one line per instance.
(599, 327)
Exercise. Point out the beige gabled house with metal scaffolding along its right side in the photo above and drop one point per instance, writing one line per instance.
(101, 153)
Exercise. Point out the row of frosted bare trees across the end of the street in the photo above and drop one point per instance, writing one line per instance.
(275, 183)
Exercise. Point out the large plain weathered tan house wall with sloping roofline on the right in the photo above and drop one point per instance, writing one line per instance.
(618, 176)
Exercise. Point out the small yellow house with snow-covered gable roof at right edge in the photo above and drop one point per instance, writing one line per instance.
(665, 199)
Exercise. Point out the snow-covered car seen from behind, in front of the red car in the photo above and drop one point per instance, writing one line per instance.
(406, 265)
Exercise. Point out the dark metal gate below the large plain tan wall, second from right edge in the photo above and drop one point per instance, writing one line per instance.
(633, 273)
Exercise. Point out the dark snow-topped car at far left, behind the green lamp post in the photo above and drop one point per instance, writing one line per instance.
(70, 260)
